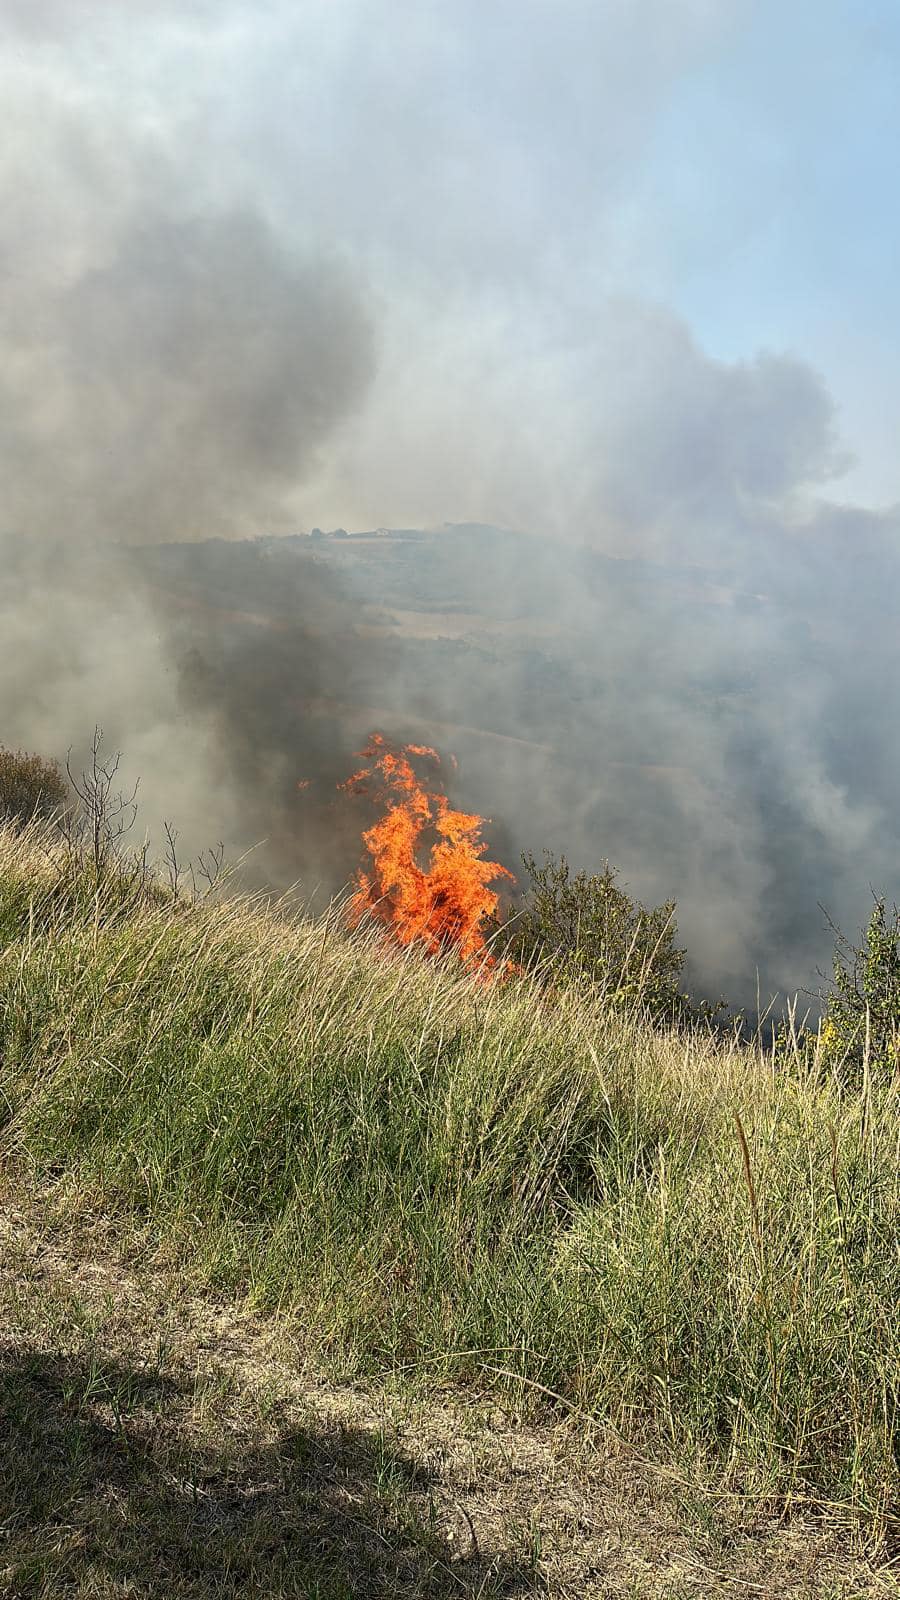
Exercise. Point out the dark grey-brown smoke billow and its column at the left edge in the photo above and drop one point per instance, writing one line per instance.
(177, 390)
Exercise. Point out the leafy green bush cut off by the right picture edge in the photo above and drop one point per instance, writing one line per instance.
(862, 1017)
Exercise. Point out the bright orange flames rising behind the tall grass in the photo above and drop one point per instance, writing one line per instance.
(446, 905)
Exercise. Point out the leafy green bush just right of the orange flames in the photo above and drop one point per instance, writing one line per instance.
(590, 929)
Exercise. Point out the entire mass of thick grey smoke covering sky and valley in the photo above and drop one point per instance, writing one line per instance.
(267, 270)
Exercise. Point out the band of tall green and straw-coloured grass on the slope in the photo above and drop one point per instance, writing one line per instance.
(673, 1234)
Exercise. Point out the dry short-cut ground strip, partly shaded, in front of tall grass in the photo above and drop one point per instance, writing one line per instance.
(158, 1442)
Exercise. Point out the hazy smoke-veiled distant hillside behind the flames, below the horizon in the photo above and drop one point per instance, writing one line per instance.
(709, 730)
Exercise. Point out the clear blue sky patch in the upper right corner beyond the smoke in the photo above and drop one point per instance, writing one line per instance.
(774, 185)
